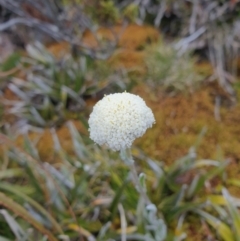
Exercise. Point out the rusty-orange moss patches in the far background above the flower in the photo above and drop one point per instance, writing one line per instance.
(130, 39)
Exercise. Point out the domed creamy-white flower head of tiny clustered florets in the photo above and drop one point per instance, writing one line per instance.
(118, 119)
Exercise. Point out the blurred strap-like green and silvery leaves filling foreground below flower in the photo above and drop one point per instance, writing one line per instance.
(85, 194)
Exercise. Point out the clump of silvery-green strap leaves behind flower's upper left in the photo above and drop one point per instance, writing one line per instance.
(53, 87)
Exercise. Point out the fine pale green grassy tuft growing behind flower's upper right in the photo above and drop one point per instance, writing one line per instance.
(170, 69)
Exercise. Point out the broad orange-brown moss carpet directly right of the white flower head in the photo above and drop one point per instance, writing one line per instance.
(180, 119)
